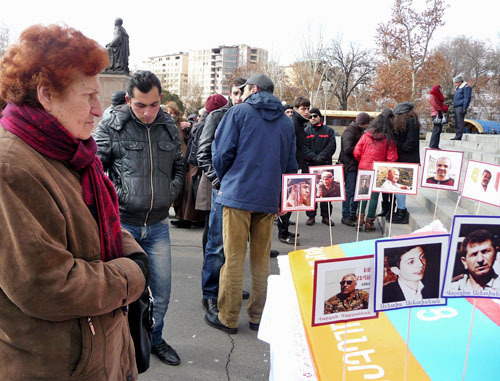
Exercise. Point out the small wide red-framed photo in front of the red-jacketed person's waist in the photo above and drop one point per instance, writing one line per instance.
(392, 177)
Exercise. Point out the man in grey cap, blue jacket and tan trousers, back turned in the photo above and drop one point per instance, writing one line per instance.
(254, 146)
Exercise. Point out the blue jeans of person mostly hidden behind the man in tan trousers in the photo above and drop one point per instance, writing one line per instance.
(214, 252)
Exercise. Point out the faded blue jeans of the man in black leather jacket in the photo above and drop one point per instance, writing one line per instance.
(155, 241)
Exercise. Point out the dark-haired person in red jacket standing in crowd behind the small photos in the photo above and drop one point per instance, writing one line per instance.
(376, 144)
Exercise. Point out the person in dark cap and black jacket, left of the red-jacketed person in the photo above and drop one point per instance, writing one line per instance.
(349, 139)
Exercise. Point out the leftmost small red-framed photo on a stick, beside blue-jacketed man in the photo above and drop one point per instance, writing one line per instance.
(297, 192)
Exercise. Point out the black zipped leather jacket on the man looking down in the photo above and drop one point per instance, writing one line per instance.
(144, 163)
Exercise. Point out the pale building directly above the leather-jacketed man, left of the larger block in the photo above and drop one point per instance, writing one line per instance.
(172, 70)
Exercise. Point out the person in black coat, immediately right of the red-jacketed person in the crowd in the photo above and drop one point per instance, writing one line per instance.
(407, 134)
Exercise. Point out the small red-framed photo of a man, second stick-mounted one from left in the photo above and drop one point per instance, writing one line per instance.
(330, 184)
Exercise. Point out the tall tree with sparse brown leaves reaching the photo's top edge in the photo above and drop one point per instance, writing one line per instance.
(408, 34)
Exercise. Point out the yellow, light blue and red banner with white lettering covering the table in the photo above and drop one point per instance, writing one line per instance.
(376, 349)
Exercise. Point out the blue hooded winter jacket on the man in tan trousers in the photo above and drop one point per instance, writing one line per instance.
(254, 146)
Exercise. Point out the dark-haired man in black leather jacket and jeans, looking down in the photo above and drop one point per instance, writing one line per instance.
(140, 150)
